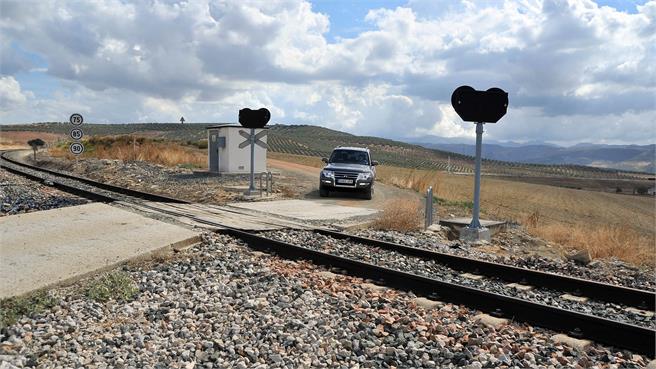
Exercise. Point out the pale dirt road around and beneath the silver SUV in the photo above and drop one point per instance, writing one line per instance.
(306, 184)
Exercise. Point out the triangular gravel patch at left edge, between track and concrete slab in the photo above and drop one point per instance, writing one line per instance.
(21, 195)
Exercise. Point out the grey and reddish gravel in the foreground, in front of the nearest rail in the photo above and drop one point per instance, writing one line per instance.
(220, 305)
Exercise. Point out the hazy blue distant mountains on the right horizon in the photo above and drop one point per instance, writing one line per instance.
(624, 157)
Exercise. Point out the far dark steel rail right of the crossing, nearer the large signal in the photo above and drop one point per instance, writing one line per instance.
(581, 287)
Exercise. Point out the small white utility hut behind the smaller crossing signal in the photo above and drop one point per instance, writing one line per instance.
(223, 152)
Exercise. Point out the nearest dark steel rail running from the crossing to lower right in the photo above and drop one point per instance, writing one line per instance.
(628, 336)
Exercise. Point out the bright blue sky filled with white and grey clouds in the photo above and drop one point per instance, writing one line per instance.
(575, 70)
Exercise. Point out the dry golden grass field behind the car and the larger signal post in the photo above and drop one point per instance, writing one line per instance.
(606, 224)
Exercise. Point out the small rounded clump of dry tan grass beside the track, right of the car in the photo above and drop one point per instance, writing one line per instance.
(400, 215)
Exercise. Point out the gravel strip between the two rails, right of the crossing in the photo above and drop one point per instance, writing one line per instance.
(435, 270)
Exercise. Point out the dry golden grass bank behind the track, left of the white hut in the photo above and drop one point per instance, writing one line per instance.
(129, 148)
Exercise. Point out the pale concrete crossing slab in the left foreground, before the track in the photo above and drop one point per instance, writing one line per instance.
(57, 246)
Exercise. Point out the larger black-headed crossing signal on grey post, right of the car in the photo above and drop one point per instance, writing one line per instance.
(479, 107)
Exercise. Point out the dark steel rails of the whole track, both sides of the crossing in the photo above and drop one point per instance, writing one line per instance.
(621, 334)
